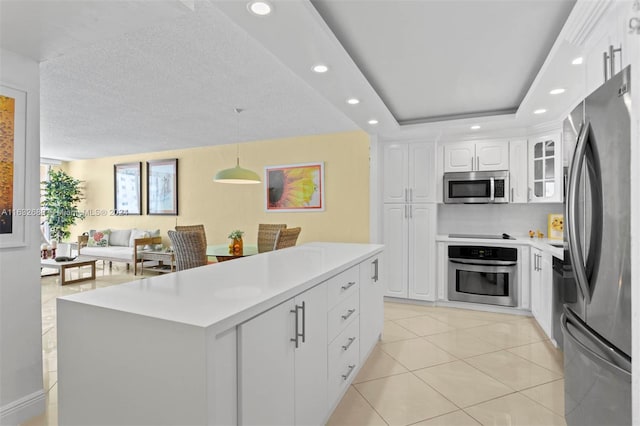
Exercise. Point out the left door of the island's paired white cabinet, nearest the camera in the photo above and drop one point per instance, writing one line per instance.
(266, 358)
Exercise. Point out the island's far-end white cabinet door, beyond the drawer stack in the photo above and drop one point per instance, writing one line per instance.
(371, 304)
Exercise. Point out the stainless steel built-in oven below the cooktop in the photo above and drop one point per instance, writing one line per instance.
(483, 275)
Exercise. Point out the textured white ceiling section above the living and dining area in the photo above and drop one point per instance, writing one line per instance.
(174, 85)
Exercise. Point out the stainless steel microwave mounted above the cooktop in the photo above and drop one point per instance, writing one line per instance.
(476, 187)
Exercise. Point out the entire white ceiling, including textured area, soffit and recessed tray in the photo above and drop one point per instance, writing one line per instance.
(167, 74)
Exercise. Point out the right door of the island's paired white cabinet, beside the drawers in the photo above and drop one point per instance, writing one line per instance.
(310, 357)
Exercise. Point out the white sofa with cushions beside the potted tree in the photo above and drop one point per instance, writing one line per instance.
(118, 245)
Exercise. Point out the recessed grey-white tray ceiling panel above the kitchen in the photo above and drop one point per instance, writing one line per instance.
(435, 60)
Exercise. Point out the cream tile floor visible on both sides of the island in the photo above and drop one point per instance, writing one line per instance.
(434, 366)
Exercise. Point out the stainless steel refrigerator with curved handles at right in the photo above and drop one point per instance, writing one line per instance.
(597, 325)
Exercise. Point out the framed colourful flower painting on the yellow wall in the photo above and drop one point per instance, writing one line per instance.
(295, 187)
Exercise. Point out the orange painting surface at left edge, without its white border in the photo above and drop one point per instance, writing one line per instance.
(7, 126)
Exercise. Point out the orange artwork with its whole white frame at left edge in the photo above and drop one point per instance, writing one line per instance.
(13, 142)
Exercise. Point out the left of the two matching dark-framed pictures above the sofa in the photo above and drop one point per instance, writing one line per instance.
(127, 192)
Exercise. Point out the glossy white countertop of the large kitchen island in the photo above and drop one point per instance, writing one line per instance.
(225, 294)
